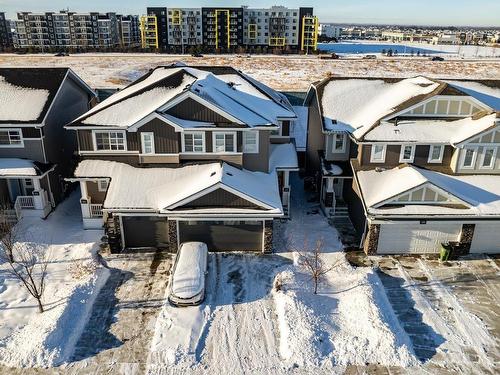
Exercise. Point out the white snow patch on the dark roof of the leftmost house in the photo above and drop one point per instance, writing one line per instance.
(21, 103)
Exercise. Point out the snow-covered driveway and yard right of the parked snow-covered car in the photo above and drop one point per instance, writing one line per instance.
(245, 326)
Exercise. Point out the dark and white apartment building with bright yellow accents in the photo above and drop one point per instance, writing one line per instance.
(226, 29)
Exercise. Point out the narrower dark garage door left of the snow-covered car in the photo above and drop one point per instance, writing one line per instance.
(145, 231)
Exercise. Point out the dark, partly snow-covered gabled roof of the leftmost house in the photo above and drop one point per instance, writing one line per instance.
(26, 94)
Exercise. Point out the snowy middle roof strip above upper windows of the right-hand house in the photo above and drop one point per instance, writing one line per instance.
(431, 130)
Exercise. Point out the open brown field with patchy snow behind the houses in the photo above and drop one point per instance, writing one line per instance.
(286, 73)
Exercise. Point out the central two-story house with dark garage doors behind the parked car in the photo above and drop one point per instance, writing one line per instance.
(187, 153)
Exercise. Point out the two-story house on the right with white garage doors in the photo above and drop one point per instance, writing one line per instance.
(425, 169)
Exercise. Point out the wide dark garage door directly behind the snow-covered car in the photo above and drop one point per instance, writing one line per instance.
(223, 235)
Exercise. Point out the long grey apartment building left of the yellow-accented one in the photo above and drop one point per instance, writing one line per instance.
(67, 30)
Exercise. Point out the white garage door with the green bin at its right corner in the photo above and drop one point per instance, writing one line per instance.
(415, 237)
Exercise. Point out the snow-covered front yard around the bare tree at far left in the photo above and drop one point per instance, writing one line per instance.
(31, 339)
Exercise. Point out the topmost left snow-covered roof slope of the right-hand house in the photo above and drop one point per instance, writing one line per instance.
(357, 104)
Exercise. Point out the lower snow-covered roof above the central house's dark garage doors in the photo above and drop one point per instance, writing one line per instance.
(161, 189)
